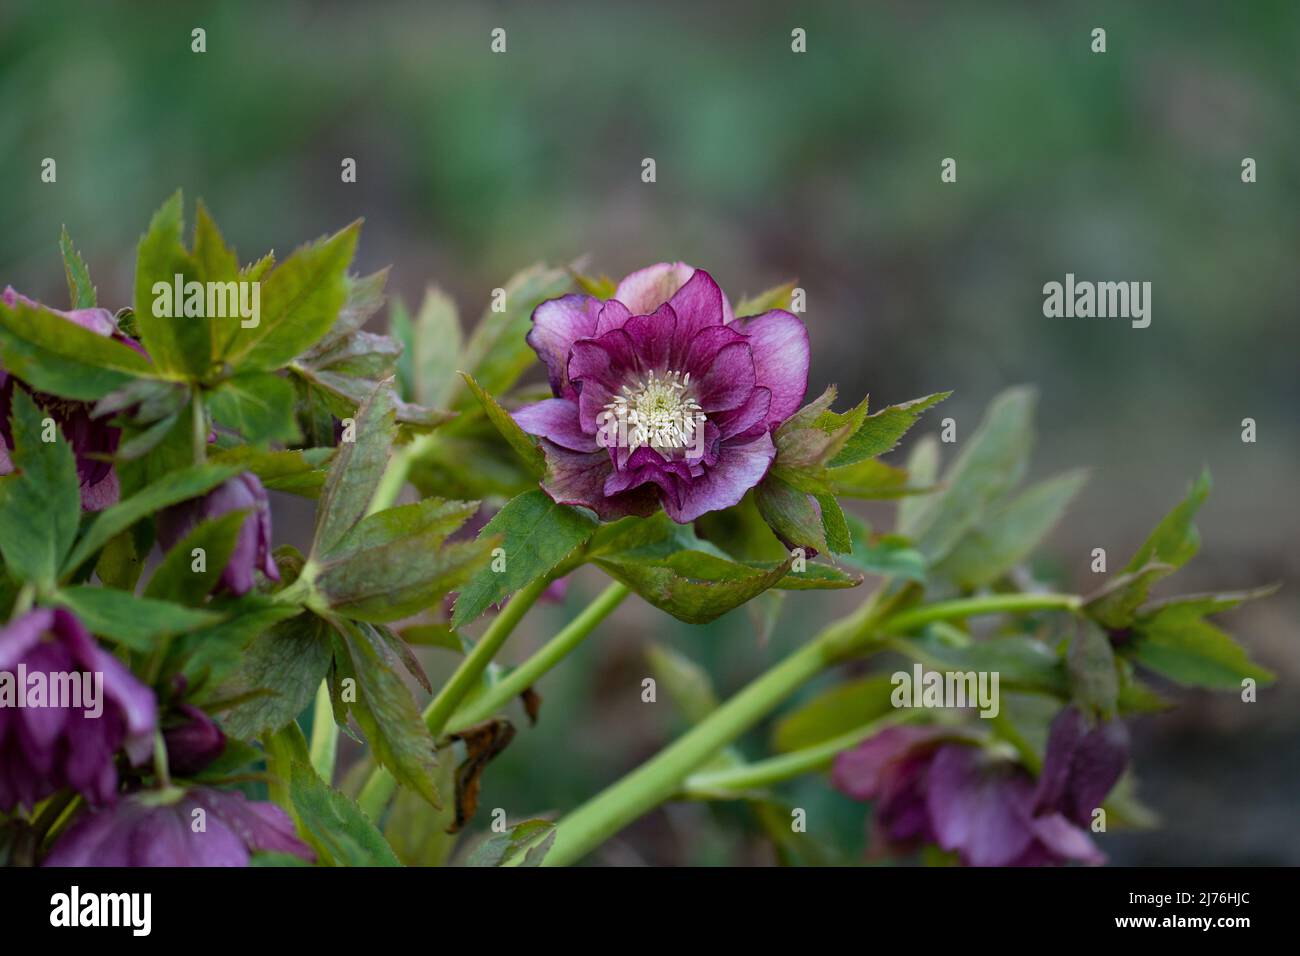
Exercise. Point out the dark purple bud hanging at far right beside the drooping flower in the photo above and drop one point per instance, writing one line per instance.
(1081, 765)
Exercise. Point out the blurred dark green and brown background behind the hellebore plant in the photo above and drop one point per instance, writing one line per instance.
(772, 166)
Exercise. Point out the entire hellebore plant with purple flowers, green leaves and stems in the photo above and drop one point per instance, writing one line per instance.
(677, 456)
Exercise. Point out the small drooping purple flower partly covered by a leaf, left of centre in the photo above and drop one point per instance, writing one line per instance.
(253, 548)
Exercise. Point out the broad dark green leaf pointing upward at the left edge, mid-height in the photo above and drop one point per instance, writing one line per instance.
(41, 501)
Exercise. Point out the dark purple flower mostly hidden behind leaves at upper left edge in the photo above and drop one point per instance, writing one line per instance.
(94, 442)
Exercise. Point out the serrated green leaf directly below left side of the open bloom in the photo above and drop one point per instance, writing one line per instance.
(538, 535)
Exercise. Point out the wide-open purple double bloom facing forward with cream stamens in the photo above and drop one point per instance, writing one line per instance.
(662, 397)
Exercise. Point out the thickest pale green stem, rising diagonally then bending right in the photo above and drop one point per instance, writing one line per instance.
(658, 780)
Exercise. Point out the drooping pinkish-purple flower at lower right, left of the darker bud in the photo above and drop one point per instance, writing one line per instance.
(933, 788)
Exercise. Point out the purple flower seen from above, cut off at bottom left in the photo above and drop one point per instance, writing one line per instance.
(162, 829)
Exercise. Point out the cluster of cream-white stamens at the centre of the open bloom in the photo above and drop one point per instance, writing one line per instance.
(658, 412)
